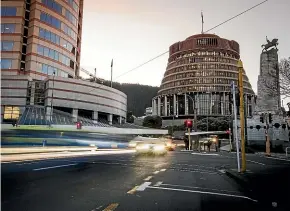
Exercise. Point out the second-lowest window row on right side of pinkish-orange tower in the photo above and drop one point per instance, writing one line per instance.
(52, 37)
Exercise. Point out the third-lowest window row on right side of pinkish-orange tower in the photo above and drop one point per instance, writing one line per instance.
(57, 24)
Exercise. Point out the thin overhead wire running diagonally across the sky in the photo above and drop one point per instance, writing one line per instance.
(156, 57)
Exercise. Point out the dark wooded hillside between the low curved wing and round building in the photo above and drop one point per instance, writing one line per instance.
(139, 96)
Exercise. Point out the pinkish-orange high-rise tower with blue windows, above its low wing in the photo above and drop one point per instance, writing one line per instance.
(41, 37)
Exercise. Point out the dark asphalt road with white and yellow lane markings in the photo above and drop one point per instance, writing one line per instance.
(177, 181)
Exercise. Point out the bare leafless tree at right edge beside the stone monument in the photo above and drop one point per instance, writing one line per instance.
(281, 81)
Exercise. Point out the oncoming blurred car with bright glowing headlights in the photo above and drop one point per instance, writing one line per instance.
(154, 148)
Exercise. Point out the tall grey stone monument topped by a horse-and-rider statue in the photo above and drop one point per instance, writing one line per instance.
(268, 96)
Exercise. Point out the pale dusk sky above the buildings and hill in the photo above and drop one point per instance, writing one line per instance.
(134, 31)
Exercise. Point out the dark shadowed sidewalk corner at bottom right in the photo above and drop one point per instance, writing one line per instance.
(269, 186)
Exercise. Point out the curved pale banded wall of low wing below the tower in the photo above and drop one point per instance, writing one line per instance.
(78, 94)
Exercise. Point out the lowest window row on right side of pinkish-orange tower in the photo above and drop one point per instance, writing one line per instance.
(53, 54)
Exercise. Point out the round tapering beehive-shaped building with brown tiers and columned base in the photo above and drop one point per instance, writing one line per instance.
(199, 72)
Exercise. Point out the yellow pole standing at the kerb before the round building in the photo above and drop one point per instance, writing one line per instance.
(242, 116)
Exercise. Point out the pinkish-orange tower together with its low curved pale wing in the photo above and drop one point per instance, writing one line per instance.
(40, 62)
